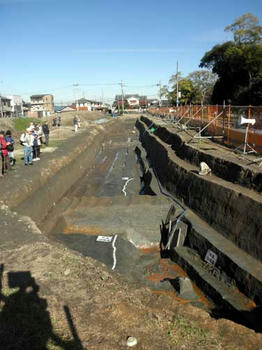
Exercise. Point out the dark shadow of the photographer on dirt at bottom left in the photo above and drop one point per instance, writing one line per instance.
(24, 319)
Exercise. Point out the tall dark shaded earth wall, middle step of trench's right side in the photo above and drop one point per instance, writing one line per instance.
(235, 215)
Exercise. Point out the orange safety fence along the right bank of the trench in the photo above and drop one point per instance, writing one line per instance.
(227, 124)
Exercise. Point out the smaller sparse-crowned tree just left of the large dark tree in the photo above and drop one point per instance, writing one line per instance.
(203, 82)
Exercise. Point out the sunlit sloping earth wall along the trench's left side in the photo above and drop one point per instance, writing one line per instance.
(35, 193)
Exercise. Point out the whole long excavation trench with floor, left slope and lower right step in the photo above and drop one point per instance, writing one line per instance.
(101, 197)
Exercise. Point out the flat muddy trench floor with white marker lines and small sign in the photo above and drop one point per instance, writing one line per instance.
(113, 213)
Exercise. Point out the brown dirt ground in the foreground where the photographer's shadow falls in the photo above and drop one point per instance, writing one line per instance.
(55, 298)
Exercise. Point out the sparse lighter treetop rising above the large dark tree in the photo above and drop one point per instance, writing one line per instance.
(246, 29)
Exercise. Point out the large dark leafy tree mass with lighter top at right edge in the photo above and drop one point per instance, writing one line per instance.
(238, 64)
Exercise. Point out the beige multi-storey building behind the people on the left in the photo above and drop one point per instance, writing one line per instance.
(41, 105)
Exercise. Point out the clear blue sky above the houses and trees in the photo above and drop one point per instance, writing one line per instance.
(48, 45)
